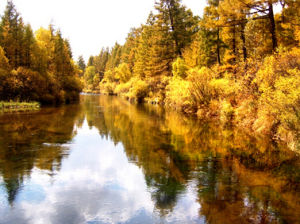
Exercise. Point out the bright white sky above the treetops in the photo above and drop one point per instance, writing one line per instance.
(90, 25)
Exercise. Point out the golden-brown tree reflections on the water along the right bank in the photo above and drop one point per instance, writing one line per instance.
(240, 178)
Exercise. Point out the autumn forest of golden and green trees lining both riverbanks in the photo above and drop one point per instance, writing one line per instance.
(238, 63)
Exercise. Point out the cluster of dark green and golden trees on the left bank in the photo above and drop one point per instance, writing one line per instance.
(35, 67)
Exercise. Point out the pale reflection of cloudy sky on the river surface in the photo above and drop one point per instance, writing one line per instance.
(96, 183)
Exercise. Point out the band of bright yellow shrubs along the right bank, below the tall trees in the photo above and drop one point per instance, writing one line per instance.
(260, 96)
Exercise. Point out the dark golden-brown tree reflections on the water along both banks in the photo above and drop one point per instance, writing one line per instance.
(237, 179)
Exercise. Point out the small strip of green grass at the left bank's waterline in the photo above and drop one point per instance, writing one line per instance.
(18, 106)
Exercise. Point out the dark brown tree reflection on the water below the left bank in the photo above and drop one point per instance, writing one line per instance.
(31, 140)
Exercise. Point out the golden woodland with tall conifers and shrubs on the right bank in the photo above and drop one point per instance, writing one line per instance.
(239, 62)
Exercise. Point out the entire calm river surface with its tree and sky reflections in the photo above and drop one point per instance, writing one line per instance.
(105, 160)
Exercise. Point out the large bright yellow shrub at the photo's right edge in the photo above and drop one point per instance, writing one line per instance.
(279, 86)
